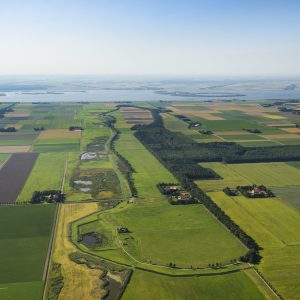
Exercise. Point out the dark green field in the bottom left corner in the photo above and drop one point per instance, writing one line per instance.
(24, 239)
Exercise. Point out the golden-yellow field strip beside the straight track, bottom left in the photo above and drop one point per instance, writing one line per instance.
(80, 282)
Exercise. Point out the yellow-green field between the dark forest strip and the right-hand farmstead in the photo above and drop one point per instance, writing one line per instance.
(269, 174)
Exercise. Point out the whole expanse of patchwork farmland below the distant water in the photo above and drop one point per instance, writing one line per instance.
(101, 167)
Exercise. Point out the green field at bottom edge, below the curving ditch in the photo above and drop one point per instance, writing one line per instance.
(144, 285)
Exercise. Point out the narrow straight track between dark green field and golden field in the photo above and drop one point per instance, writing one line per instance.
(50, 250)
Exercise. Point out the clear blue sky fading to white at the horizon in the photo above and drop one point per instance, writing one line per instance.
(150, 37)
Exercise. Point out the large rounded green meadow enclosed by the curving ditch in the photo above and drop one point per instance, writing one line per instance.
(190, 233)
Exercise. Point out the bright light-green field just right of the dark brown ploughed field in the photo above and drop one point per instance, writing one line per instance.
(46, 174)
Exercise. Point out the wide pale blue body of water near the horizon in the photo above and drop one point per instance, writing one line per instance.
(140, 95)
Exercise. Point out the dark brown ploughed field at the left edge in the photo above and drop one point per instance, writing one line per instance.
(13, 176)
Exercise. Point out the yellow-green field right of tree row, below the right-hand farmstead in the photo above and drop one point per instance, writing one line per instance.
(276, 228)
